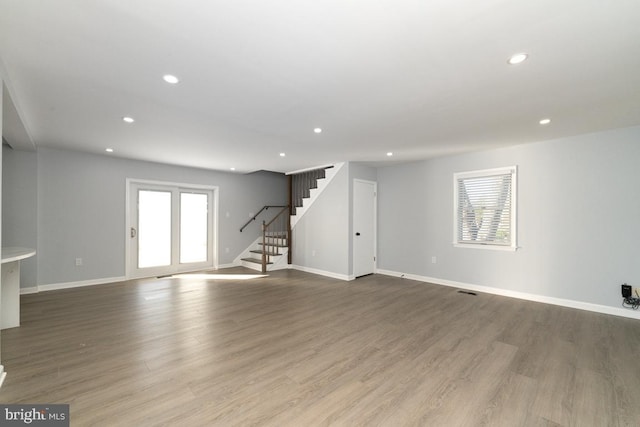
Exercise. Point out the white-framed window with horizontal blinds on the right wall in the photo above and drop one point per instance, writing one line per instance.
(485, 208)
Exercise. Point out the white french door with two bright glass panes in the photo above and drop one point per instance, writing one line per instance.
(170, 228)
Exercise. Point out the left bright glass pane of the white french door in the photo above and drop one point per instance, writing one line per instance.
(154, 228)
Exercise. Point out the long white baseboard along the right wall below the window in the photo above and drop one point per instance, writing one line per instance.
(597, 308)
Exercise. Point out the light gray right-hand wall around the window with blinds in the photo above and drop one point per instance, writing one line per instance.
(578, 219)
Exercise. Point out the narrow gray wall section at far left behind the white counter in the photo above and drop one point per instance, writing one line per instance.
(19, 207)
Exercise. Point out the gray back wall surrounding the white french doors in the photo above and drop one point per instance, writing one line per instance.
(81, 210)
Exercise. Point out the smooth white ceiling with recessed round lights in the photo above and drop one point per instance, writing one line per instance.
(420, 78)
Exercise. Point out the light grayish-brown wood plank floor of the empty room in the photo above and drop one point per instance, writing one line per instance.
(295, 349)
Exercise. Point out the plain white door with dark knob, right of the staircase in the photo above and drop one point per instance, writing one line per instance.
(364, 227)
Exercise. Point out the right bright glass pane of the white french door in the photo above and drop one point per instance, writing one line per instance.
(193, 227)
